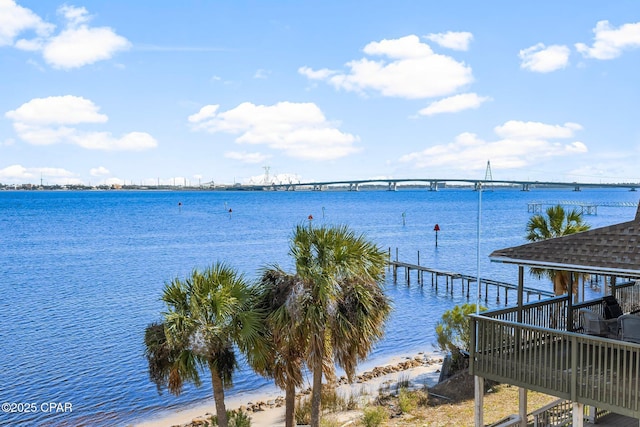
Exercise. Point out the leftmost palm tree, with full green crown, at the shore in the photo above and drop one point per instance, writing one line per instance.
(207, 314)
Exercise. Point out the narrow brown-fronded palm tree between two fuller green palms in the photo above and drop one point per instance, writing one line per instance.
(285, 335)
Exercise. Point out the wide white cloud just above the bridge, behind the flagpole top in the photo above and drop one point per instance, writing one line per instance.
(520, 144)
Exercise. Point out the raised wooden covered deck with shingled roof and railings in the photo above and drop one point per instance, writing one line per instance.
(543, 346)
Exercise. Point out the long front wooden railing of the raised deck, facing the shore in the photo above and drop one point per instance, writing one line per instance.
(594, 371)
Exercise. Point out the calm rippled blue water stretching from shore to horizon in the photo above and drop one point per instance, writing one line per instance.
(81, 274)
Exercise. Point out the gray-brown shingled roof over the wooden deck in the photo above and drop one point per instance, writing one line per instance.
(614, 249)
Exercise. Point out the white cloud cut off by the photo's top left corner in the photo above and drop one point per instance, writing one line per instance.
(15, 19)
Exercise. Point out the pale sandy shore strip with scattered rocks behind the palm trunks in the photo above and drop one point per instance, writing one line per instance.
(422, 369)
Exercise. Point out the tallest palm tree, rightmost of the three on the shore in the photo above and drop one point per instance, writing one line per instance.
(340, 302)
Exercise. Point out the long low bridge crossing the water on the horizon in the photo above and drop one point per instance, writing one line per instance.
(433, 184)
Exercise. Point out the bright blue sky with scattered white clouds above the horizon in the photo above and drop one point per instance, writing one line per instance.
(143, 92)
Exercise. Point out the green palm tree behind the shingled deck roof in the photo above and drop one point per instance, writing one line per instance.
(557, 223)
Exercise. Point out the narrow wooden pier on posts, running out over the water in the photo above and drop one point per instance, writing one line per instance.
(465, 282)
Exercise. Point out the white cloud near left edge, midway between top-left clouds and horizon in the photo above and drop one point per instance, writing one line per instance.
(53, 120)
